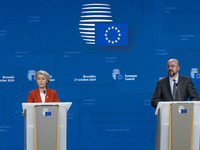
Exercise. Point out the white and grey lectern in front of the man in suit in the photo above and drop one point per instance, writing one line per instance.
(178, 125)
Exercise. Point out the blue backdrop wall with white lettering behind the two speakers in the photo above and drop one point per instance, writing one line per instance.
(110, 86)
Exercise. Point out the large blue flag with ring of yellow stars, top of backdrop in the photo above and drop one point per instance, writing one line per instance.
(108, 34)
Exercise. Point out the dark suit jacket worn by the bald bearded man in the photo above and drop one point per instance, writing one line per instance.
(185, 89)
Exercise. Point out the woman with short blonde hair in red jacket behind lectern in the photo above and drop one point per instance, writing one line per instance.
(42, 94)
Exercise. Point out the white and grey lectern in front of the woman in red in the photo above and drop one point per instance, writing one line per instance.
(45, 126)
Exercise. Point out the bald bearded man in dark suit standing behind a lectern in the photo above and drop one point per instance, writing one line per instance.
(174, 87)
